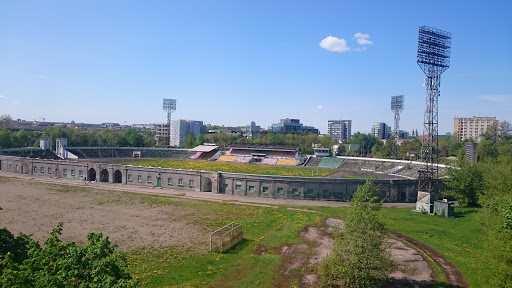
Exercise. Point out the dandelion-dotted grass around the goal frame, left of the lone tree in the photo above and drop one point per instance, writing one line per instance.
(239, 267)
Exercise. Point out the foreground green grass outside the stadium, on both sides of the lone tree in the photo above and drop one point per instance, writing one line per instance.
(459, 239)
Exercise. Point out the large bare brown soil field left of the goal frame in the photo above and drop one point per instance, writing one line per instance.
(35, 208)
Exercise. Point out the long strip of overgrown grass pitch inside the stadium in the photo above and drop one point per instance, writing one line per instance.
(234, 167)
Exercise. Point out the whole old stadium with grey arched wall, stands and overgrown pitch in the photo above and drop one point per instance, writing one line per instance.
(398, 180)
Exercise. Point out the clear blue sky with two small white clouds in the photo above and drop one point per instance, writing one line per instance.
(232, 62)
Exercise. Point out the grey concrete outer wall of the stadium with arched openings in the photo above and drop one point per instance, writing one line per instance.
(334, 189)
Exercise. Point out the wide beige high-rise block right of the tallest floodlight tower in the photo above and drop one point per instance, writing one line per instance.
(471, 128)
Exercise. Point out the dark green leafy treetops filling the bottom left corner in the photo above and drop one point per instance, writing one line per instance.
(65, 264)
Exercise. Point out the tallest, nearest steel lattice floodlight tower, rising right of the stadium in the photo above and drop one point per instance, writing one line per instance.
(434, 47)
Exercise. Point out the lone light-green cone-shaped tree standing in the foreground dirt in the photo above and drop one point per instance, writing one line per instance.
(359, 257)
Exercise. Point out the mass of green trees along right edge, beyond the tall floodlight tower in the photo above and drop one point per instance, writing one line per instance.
(487, 184)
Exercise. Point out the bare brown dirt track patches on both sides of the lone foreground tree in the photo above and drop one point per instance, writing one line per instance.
(412, 269)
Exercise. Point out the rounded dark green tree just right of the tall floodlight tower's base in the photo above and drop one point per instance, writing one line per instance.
(465, 184)
